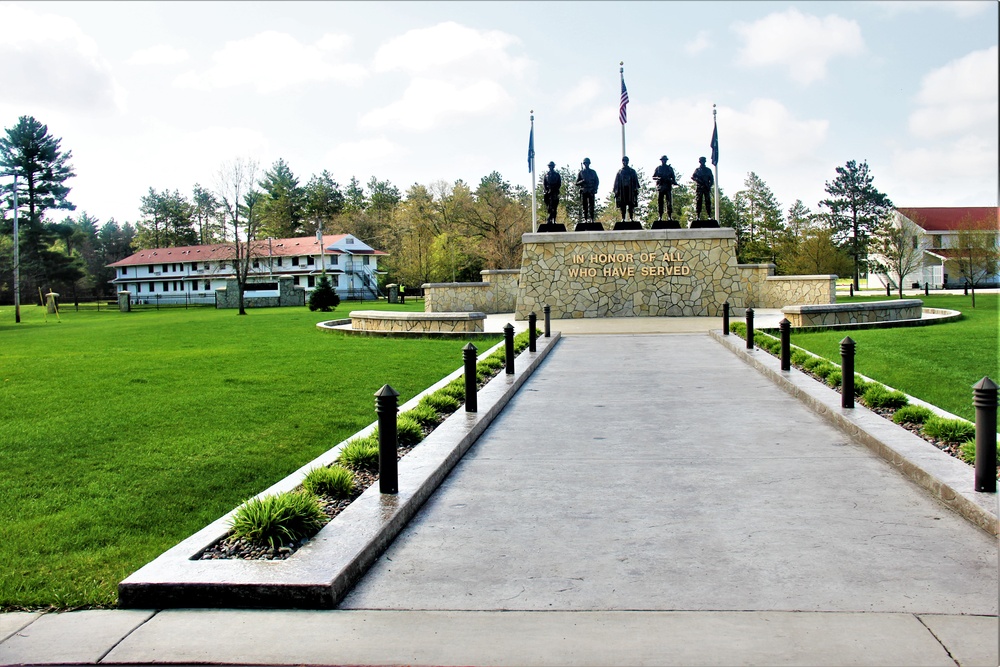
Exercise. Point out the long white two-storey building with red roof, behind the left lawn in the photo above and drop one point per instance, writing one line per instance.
(193, 273)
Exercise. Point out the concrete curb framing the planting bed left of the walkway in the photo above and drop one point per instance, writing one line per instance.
(323, 570)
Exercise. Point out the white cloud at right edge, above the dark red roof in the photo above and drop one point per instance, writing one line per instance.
(959, 97)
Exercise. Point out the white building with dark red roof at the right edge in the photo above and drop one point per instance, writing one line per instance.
(937, 236)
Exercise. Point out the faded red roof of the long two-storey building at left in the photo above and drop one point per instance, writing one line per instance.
(303, 245)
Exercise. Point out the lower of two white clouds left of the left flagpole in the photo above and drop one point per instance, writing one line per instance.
(427, 101)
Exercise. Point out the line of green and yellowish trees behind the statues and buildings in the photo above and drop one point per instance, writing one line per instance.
(438, 232)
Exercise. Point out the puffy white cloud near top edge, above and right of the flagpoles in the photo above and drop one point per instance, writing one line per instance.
(802, 43)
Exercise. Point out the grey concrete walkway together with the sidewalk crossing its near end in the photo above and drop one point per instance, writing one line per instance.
(644, 499)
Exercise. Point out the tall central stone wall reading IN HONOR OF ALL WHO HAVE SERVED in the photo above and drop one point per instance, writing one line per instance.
(649, 273)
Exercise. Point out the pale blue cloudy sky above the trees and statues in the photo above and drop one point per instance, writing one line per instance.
(160, 94)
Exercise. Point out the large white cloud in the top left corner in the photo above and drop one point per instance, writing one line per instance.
(59, 66)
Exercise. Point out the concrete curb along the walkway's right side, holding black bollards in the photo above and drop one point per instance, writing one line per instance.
(946, 478)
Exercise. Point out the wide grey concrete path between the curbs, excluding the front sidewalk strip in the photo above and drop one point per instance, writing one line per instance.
(662, 473)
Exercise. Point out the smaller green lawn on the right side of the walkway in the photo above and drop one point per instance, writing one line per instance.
(937, 363)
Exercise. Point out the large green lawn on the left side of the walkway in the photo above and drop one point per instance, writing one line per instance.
(124, 433)
